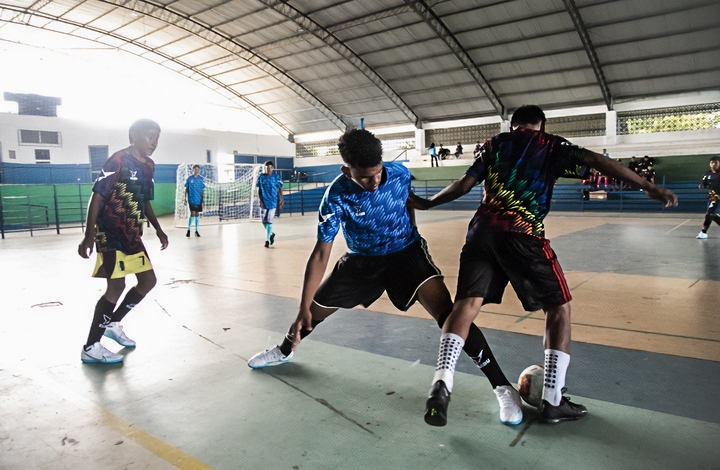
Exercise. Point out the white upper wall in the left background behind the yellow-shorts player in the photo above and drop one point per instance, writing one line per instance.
(174, 147)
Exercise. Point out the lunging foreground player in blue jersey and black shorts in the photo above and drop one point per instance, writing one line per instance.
(386, 253)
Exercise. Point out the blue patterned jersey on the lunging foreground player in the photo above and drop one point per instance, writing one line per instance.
(374, 223)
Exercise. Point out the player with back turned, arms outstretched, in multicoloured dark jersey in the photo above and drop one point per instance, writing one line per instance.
(506, 243)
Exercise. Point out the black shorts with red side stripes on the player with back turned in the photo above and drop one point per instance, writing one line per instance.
(490, 260)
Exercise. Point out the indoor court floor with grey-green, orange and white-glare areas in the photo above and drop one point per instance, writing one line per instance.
(353, 397)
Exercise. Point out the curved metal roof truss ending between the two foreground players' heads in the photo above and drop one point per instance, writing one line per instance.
(331, 40)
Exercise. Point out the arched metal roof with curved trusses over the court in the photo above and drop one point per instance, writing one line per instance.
(313, 65)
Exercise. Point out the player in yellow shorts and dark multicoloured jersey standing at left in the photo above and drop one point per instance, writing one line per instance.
(119, 206)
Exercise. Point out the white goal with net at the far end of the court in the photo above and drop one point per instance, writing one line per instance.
(229, 197)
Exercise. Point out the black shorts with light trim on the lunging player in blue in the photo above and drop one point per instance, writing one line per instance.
(358, 279)
